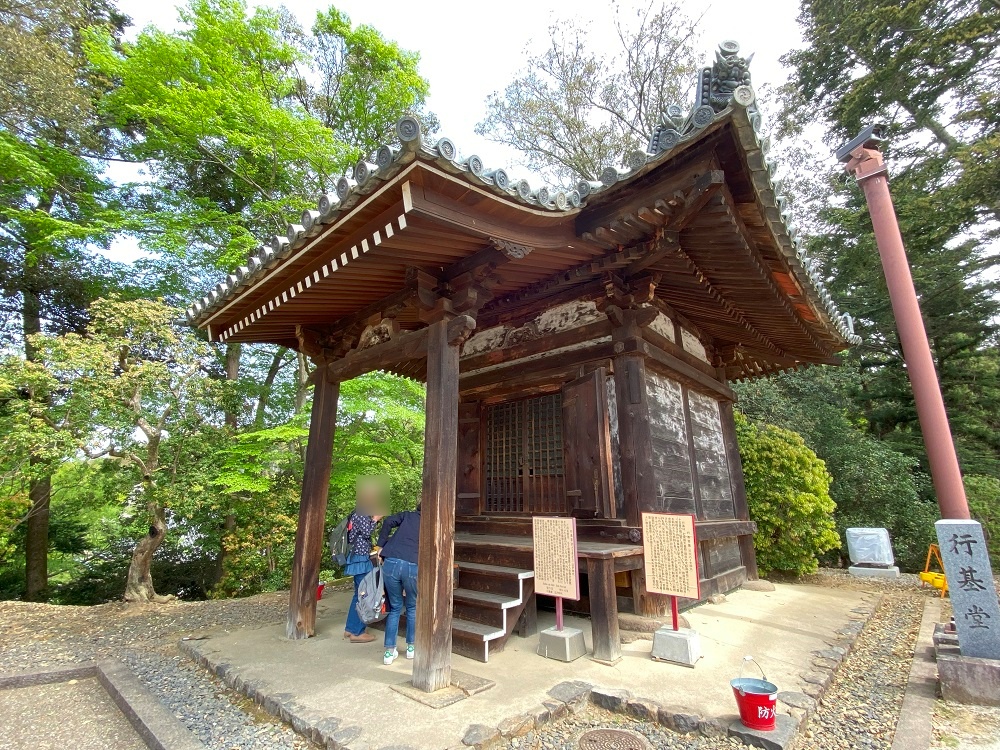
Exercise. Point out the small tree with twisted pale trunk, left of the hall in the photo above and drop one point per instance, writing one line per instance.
(132, 390)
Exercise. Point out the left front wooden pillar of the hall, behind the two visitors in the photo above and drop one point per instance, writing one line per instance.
(312, 509)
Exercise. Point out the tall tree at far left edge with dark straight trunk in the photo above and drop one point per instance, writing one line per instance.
(54, 205)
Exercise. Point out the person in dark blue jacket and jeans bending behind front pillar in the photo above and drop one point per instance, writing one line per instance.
(399, 574)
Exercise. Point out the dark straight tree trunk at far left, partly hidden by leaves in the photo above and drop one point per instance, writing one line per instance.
(36, 546)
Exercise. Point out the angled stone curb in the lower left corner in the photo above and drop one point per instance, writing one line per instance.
(152, 721)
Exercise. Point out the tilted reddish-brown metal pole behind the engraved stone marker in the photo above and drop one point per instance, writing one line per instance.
(867, 165)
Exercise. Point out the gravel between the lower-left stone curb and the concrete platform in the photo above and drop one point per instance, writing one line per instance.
(144, 637)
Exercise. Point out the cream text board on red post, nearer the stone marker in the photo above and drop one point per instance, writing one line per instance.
(669, 550)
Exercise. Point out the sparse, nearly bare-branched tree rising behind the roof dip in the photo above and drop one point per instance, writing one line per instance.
(573, 112)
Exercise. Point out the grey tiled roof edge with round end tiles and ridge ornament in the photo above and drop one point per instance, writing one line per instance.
(723, 92)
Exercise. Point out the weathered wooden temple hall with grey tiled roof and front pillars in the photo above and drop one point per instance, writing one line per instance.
(577, 346)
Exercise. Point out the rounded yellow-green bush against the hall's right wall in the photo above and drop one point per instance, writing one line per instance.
(788, 491)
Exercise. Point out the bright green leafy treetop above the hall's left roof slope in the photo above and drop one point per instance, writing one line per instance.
(236, 134)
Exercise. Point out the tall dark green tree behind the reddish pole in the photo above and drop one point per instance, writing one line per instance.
(928, 69)
